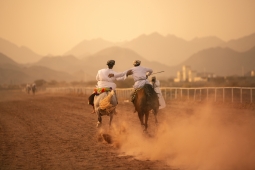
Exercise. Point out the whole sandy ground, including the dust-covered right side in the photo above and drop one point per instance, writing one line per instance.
(58, 131)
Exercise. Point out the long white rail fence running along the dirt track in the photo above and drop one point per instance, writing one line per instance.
(221, 94)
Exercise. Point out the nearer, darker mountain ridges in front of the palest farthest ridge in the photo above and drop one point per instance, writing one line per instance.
(220, 61)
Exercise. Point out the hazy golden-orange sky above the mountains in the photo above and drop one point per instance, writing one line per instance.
(55, 26)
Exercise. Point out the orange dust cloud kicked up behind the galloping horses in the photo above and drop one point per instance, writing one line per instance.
(203, 138)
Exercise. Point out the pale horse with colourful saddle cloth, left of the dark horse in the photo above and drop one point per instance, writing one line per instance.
(105, 104)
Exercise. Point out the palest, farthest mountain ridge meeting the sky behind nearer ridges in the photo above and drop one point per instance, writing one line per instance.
(169, 50)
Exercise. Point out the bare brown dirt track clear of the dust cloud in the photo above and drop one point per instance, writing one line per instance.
(57, 131)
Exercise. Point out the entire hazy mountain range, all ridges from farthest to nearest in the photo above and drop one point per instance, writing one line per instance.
(208, 54)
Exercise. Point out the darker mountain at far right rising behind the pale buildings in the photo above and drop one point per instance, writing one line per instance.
(222, 61)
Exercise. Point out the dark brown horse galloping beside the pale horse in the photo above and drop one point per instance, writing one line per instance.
(145, 100)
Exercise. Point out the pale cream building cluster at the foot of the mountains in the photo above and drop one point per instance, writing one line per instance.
(188, 75)
